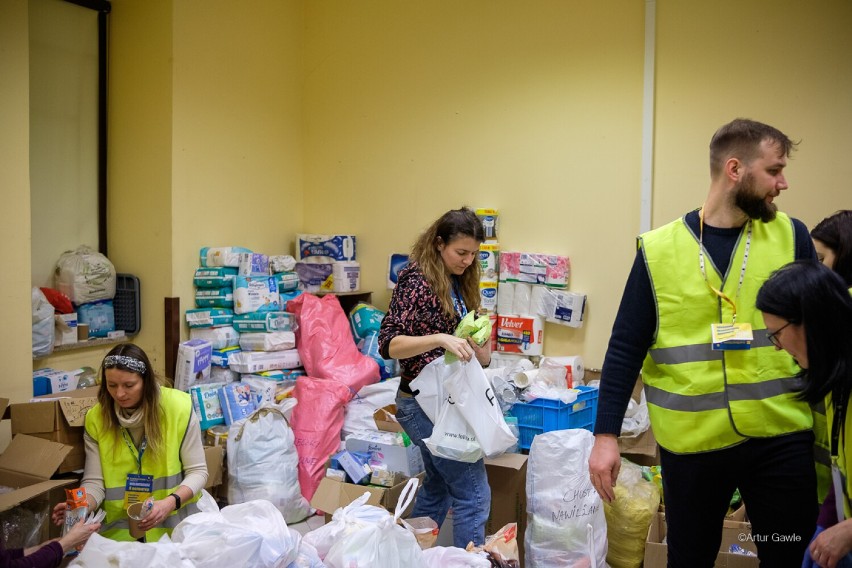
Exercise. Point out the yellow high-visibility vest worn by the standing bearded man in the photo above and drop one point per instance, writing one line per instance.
(700, 399)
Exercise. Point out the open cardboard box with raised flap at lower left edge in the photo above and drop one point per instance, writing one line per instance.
(27, 465)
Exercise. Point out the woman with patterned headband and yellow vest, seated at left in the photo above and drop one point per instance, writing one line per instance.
(141, 440)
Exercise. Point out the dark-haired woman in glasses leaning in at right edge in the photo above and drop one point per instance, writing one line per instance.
(808, 313)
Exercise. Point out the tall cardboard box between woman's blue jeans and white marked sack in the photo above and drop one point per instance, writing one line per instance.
(507, 476)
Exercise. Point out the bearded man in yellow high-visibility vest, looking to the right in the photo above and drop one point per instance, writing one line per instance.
(722, 401)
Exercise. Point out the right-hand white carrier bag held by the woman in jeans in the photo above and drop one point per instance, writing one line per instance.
(474, 399)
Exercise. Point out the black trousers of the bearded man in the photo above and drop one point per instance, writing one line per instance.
(777, 481)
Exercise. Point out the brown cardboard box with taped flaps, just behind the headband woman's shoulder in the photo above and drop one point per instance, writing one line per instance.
(58, 418)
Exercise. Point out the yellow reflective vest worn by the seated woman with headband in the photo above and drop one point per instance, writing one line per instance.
(117, 461)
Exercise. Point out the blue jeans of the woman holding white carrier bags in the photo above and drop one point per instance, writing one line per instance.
(448, 483)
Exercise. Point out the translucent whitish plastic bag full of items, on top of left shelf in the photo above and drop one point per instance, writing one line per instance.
(85, 275)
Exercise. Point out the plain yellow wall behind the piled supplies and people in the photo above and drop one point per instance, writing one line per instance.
(375, 117)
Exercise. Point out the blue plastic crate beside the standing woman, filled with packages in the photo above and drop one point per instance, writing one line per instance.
(544, 415)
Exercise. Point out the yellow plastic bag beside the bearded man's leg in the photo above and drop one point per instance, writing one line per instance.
(629, 516)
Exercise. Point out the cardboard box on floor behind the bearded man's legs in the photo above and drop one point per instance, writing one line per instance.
(733, 532)
